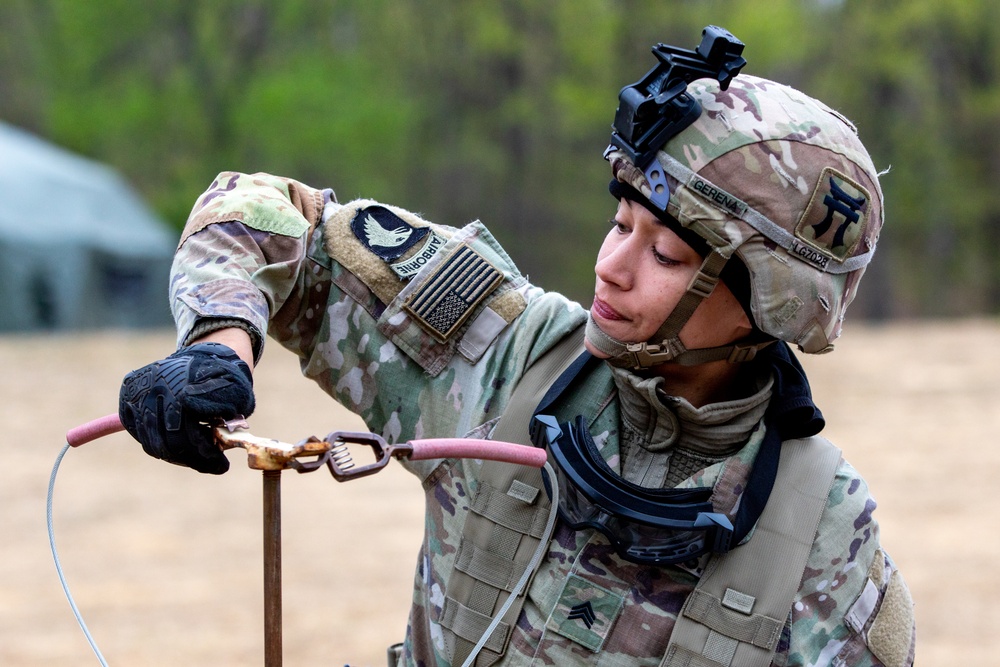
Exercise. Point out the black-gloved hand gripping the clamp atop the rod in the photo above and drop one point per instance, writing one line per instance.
(166, 404)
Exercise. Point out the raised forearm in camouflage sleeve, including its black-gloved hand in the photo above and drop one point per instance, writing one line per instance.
(236, 261)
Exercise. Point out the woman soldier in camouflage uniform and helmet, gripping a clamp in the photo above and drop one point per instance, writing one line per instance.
(746, 214)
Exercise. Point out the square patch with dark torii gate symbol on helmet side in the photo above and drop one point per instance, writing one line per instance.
(832, 223)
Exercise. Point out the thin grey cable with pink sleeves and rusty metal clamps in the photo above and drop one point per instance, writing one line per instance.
(273, 455)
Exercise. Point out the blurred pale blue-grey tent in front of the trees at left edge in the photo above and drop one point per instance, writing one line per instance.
(78, 248)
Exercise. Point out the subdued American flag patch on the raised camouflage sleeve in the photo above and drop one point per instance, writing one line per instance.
(453, 292)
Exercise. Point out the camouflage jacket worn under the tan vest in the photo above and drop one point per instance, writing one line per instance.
(424, 330)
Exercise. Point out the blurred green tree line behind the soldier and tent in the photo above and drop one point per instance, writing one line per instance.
(500, 110)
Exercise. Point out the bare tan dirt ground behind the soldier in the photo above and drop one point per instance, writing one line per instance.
(165, 564)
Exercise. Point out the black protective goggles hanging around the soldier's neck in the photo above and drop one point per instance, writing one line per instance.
(644, 525)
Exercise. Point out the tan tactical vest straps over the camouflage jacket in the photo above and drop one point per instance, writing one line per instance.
(739, 607)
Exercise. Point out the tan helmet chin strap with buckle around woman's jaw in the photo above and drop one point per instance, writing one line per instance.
(665, 346)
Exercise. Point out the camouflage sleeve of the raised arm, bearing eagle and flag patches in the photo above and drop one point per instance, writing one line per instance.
(339, 286)
